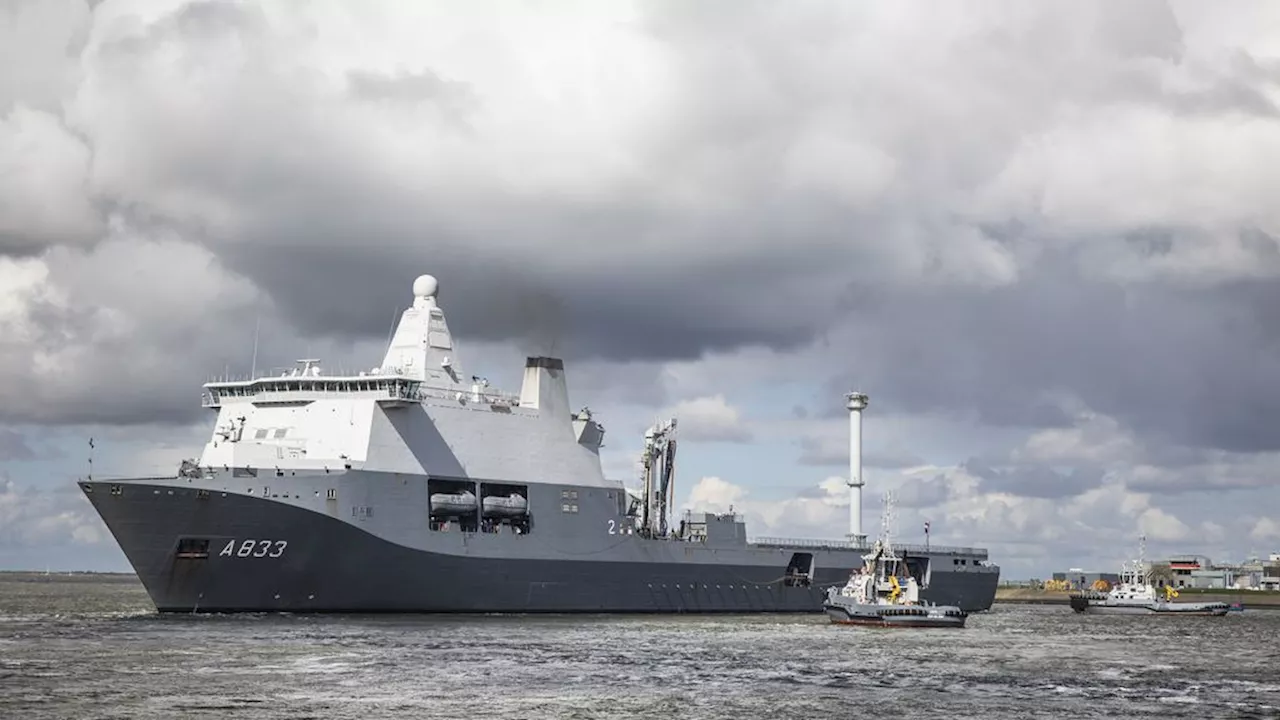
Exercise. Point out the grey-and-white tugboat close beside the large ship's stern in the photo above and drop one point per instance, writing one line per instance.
(884, 594)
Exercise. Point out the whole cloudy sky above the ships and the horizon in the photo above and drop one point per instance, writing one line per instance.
(1041, 236)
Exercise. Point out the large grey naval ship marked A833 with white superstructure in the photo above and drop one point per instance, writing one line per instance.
(414, 487)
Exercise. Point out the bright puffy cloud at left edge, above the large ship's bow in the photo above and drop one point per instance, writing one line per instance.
(86, 339)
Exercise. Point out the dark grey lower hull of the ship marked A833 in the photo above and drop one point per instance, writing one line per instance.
(209, 552)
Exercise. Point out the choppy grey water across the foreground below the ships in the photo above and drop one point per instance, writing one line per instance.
(92, 648)
